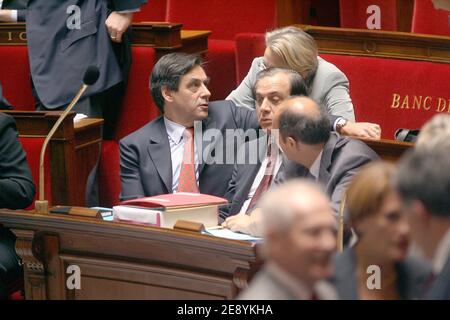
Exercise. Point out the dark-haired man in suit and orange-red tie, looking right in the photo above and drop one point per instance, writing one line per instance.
(155, 159)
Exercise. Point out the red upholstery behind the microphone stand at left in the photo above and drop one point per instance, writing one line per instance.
(32, 147)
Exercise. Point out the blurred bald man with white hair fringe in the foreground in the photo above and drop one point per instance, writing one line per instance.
(300, 239)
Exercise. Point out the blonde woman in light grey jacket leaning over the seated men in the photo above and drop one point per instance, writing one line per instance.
(292, 48)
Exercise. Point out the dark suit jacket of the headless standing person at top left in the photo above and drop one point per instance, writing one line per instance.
(60, 56)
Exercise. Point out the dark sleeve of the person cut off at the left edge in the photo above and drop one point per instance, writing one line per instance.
(16, 185)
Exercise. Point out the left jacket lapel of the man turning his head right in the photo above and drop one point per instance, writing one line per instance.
(159, 152)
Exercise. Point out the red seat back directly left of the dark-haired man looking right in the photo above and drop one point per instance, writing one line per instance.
(138, 107)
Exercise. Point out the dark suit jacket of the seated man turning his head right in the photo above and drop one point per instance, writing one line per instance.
(145, 159)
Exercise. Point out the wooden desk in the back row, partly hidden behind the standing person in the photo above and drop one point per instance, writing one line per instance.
(165, 37)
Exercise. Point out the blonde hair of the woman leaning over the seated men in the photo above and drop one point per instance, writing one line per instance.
(297, 48)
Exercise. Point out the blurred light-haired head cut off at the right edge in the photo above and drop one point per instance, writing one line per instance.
(435, 133)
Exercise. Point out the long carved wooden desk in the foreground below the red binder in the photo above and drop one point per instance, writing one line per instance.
(121, 261)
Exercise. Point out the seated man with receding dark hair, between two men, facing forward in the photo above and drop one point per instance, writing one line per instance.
(272, 87)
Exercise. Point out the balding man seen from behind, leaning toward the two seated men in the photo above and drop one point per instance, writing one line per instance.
(314, 152)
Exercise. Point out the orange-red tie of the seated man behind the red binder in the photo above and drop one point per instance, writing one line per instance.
(187, 181)
